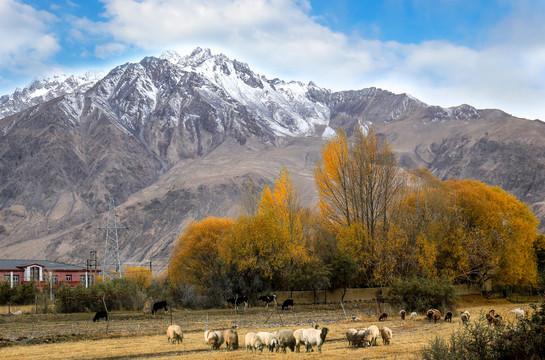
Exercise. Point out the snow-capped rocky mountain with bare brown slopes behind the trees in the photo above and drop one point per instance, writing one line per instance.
(173, 139)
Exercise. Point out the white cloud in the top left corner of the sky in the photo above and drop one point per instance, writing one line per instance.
(26, 40)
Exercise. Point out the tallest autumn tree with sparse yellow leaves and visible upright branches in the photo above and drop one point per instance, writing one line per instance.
(357, 182)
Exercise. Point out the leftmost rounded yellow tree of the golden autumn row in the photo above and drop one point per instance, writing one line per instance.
(195, 258)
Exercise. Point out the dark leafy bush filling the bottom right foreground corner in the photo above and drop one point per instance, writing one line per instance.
(517, 341)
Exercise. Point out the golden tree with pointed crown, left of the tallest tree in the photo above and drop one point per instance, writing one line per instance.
(269, 244)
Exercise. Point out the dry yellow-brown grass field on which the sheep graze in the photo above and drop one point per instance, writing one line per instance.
(142, 336)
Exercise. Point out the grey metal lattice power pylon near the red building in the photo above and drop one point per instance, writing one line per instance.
(111, 266)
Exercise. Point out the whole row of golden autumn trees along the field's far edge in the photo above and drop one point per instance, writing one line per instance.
(374, 223)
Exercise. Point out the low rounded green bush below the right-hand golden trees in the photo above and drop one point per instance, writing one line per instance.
(421, 294)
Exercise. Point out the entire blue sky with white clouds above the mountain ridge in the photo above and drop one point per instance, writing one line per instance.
(490, 54)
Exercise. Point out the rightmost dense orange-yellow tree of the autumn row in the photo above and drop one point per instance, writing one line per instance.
(498, 233)
